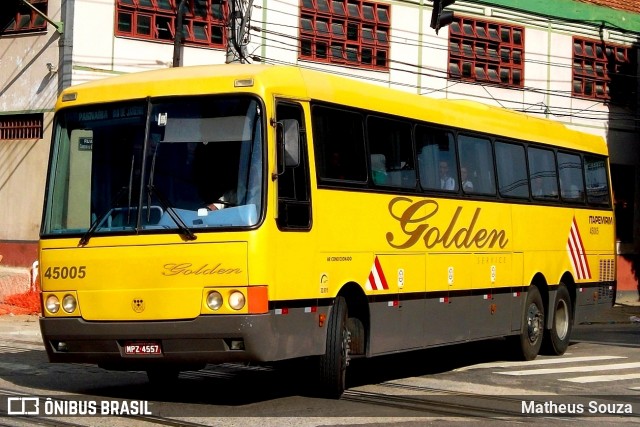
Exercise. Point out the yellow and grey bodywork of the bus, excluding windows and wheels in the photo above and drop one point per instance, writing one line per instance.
(417, 269)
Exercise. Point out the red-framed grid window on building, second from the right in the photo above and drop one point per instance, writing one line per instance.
(482, 51)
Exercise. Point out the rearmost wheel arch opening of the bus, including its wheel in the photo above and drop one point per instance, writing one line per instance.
(561, 315)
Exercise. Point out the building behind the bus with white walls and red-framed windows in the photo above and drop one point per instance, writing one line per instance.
(573, 61)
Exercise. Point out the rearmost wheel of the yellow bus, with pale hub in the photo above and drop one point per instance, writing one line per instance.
(556, 339)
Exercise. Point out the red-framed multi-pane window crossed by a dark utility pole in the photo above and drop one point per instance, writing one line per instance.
(203, 24)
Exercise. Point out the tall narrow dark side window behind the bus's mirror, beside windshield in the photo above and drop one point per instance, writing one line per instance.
(294, 193)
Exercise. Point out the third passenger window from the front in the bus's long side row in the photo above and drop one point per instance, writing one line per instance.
(436, 159)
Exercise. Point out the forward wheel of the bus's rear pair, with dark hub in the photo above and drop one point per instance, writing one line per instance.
(530, 339)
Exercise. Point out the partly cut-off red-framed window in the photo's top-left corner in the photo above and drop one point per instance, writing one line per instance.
(17, 17)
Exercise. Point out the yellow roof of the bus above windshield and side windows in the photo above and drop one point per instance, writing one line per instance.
(323, 86)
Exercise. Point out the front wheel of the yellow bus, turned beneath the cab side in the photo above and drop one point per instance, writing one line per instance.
(333, 364)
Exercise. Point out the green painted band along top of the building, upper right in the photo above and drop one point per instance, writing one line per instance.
(574, 10)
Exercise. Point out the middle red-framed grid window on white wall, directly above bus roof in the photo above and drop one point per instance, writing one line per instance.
(352, 32)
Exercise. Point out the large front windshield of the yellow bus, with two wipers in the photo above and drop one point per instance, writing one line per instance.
(178, 164)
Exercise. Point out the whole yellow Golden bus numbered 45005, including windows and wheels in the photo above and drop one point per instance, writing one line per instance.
(250, 213)
